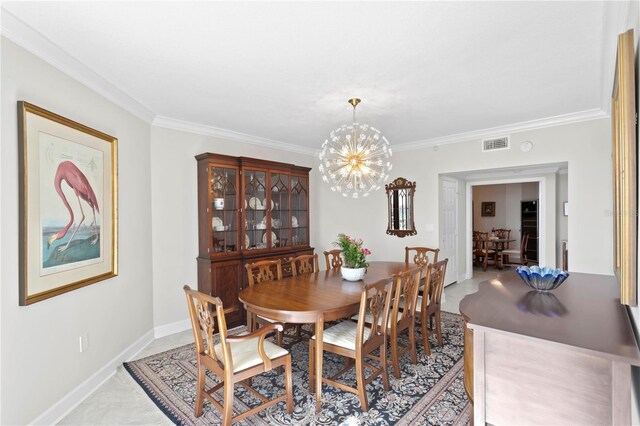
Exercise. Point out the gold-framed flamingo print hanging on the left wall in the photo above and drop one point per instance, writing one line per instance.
(68, 204)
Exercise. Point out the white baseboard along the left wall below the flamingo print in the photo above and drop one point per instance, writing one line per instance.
(70, 401)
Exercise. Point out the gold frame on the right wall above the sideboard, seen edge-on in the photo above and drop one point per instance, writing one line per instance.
(625, 206)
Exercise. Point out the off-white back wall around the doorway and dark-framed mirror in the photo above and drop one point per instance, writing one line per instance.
(586, 147)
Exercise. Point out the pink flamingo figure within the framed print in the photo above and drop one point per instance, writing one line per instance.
(71, 174)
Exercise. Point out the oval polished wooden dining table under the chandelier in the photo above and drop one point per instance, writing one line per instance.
(314, 298)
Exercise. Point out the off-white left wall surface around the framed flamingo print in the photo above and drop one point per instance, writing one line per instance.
(41, 362)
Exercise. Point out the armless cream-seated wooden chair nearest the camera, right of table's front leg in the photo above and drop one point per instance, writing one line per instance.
(356, 341)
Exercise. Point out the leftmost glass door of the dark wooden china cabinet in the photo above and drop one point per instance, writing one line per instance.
(224, 208)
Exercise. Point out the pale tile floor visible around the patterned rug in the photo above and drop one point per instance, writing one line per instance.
(120, 400)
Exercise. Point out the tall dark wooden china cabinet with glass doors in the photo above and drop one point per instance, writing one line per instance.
(248, 210)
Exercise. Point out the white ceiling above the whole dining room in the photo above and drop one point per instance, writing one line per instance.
(284, 70)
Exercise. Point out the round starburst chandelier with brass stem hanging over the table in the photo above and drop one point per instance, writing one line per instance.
(355, 159)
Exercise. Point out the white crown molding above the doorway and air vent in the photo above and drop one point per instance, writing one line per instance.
(558, 120)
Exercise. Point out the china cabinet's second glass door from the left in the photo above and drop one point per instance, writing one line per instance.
(255, 199)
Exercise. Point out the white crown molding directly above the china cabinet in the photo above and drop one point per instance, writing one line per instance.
(203, 129)
